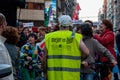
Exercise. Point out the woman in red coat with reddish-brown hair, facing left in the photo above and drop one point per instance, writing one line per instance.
(106, 38)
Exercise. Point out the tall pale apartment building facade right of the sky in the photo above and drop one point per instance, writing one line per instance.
(111, 11)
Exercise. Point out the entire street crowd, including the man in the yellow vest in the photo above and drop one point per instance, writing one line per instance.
(63, 52)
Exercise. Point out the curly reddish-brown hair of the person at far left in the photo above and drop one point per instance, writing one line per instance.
(11, 34)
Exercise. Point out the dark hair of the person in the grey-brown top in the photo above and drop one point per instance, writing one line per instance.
(86, 30)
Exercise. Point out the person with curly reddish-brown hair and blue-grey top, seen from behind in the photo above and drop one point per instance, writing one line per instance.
(11, 34)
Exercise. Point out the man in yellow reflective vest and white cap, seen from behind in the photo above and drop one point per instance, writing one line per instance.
(64, 50)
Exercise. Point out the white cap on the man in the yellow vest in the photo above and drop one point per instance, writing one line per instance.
(65, 20)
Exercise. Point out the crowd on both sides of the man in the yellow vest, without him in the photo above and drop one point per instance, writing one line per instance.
(26, 49)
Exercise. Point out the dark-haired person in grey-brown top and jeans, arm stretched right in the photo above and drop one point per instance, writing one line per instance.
(94, 47)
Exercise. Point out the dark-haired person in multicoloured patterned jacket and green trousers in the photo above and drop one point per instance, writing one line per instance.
(28, 55)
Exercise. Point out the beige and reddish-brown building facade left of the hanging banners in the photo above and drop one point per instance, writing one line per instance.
(33, 12)
